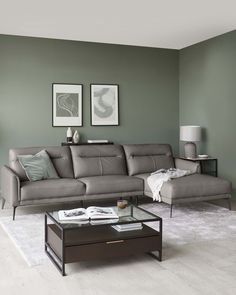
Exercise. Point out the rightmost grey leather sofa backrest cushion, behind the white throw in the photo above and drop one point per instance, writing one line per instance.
(147, 158)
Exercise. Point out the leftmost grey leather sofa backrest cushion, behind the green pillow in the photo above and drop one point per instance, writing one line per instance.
(60, 157)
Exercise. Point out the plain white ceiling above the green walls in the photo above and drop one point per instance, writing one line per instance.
(156, 23)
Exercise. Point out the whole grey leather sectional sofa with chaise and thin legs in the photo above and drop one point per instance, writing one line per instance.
(91, 172)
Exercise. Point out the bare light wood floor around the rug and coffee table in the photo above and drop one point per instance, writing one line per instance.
(200, 268)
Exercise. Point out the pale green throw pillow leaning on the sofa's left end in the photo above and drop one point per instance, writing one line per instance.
(38, 167)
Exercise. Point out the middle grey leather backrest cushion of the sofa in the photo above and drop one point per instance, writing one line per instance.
(98, 160)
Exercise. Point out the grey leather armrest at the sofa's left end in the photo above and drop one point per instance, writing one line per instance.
(10, 186)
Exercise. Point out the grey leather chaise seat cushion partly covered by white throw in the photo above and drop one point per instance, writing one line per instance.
(194, 185)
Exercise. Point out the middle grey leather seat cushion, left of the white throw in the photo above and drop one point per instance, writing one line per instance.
(111, 184)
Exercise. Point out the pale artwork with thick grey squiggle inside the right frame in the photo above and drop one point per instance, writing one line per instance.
(104, 102)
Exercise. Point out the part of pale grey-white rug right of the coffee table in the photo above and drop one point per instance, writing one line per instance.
(192, 223)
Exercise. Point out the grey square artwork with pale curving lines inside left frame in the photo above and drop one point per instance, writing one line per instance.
(67, 104)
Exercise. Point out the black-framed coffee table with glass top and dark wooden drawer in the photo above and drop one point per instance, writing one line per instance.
(72, 242)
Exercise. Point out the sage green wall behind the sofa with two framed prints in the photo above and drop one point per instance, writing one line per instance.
(147, 77)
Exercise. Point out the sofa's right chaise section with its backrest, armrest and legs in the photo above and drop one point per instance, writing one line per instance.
(147, 158)
